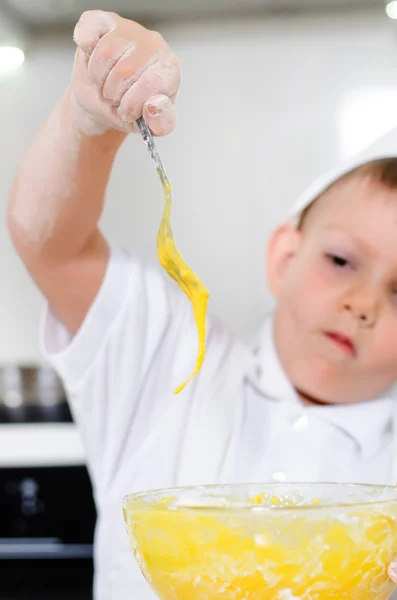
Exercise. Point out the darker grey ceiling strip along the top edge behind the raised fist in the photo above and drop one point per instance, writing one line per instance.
(35, 14)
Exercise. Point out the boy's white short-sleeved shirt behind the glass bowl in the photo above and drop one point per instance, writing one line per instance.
(239, 420)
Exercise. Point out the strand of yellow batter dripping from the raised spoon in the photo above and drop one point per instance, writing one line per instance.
(190, 284)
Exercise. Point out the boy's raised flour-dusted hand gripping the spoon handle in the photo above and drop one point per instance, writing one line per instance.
(121, 72)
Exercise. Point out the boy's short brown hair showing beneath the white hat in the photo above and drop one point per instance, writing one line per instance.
(382, 171)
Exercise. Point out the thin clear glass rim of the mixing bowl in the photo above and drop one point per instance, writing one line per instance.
(134, 499)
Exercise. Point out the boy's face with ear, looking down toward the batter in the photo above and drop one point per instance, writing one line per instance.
(336, 285)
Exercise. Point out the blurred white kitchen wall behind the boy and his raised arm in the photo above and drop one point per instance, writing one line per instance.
(265, 105)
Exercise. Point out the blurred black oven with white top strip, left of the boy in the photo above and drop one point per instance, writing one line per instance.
(47, 515)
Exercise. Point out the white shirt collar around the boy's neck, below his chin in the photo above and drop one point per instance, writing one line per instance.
(366, 423)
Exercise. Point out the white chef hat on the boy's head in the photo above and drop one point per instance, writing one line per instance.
(384, 147)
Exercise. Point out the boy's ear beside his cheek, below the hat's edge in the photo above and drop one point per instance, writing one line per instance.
(282, 247)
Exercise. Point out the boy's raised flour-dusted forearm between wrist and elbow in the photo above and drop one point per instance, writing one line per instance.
(58, 194)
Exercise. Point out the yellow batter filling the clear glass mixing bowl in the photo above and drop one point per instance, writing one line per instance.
(207, 555)
